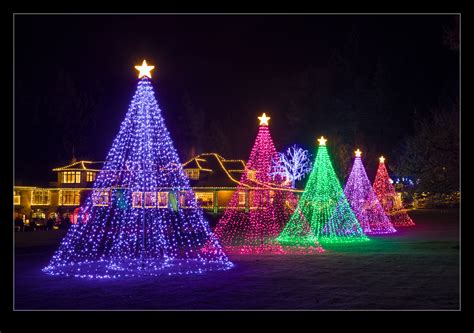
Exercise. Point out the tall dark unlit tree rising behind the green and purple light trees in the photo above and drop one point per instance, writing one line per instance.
(351, 100)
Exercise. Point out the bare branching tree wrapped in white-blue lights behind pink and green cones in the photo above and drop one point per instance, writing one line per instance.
(292, 165)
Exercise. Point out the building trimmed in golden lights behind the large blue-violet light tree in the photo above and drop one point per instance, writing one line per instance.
(212, 177)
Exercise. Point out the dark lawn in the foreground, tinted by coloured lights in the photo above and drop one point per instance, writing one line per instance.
(418, 268)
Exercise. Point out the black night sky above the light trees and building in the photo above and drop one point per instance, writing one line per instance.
(233, 67)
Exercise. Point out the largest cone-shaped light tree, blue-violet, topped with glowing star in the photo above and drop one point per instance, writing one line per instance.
(142, 217)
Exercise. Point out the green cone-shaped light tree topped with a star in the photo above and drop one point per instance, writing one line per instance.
(323, 207)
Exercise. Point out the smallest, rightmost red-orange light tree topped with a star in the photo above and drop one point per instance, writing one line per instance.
(391, 202)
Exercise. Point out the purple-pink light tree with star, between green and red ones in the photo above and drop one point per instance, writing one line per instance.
(364, 202)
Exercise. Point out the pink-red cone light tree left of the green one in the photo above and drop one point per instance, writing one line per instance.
(261, 204)
